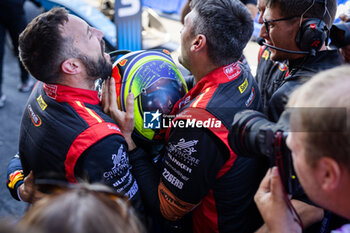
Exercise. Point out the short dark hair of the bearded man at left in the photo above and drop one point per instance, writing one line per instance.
(41, 45)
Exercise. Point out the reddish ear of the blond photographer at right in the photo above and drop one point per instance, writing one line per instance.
(328, 173)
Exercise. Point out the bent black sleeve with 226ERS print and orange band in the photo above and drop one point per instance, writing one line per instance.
(191, 162)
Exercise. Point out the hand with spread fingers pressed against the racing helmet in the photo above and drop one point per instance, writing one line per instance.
(124, 120)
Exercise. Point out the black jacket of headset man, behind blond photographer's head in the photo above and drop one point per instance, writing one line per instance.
(300, 70)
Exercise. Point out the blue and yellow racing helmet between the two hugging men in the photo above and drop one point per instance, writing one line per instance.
(156, 83)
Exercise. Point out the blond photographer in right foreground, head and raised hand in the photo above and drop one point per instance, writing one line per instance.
(319, 141)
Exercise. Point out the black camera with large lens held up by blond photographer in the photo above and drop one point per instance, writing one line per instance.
(253, 135)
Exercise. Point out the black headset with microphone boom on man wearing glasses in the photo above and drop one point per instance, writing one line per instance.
(312, 34)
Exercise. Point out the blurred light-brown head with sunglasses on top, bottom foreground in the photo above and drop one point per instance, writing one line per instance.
(81, 208)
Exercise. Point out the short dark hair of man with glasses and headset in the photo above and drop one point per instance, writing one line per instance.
(311, 8)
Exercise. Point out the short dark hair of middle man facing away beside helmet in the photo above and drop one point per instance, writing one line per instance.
(227, 26)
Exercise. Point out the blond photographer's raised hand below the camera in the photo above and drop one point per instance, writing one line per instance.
(271, 203)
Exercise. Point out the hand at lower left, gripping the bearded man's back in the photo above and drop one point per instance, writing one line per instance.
(27, 191)
